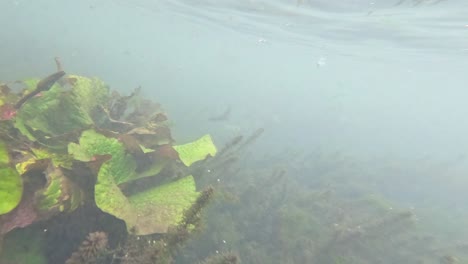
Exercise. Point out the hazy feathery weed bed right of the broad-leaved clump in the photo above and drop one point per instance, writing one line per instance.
(269, 215)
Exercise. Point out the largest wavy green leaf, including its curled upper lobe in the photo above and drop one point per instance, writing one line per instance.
(147, 212)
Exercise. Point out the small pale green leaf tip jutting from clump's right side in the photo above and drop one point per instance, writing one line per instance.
(197, 150)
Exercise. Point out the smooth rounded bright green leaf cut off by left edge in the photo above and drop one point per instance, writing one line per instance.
(11, 189)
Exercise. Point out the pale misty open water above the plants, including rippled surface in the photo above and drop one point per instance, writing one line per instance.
(380, 83)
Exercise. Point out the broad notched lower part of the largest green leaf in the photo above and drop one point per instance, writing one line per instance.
(150, 211)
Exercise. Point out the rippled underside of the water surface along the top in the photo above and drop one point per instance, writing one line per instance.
(358, 24)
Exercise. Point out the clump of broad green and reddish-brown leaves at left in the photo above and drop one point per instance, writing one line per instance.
(74, 154)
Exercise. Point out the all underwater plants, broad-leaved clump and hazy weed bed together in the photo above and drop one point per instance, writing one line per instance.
(92, 176)
